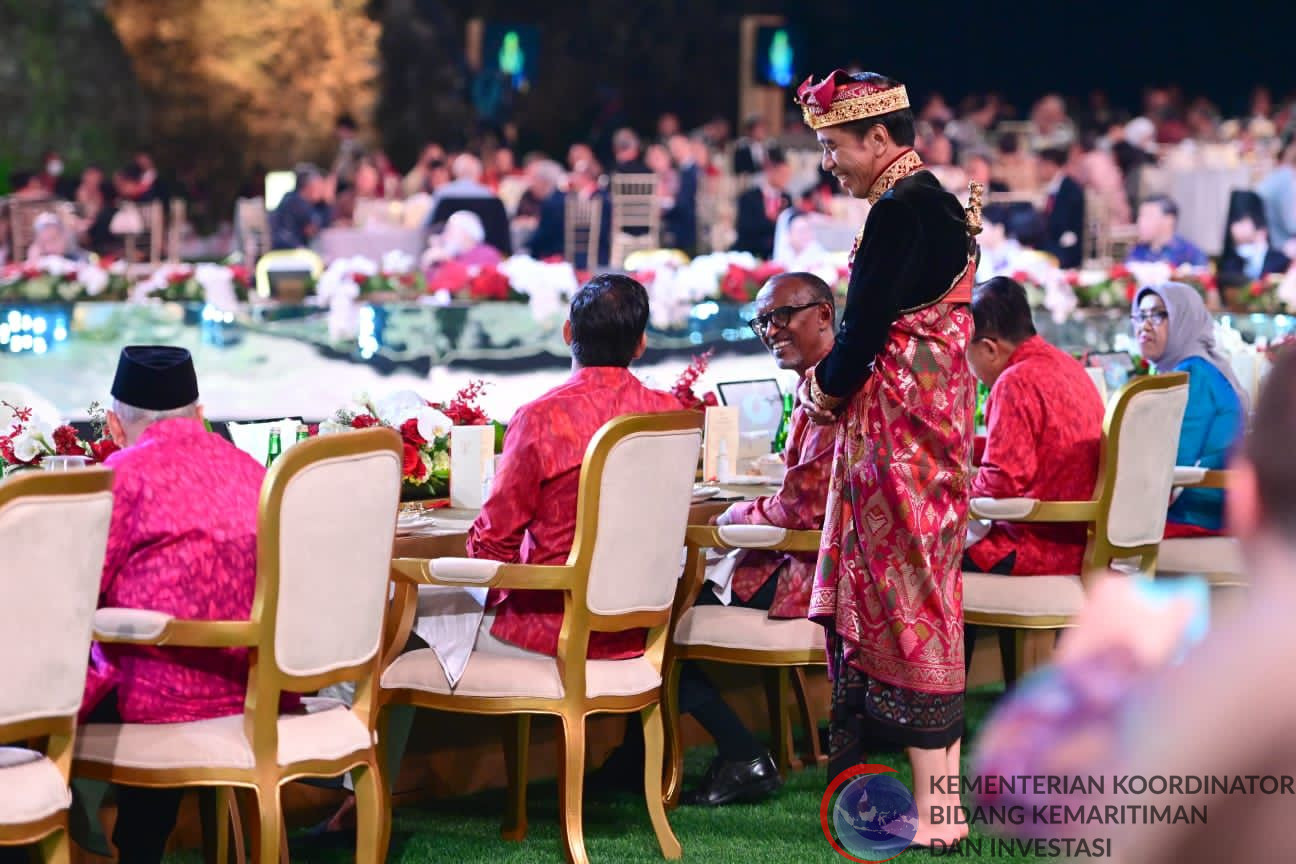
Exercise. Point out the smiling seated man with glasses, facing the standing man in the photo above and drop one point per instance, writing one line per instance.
(795, 321)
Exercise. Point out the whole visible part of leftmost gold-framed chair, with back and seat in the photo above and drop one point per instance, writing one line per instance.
(47, 600)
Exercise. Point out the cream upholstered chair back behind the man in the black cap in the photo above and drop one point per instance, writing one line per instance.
(331, 542)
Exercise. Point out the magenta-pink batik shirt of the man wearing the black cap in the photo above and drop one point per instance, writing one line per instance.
(183, 541)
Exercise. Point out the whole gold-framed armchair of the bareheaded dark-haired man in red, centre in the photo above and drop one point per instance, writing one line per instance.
(632, 514)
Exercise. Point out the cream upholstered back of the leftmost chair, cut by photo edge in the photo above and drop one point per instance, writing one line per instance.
(54, 532)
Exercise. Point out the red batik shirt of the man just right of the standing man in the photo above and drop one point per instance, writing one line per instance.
(1044, 427)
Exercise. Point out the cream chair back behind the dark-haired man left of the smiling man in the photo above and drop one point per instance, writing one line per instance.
(643, 494)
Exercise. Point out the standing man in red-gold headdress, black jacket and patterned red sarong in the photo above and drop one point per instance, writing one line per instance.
(897, 385)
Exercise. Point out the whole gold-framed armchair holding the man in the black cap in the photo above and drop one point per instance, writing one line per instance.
(327, 517)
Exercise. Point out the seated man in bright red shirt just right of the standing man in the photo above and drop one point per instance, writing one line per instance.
(1044, 428)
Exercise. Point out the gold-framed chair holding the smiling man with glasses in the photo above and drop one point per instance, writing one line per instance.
(742, 638)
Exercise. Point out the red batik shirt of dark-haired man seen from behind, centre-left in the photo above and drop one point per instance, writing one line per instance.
(531, 514)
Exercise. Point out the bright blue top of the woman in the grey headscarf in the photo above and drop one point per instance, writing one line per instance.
(1212, 426)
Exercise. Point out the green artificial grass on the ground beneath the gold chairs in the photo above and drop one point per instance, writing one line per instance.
(466, 831)
